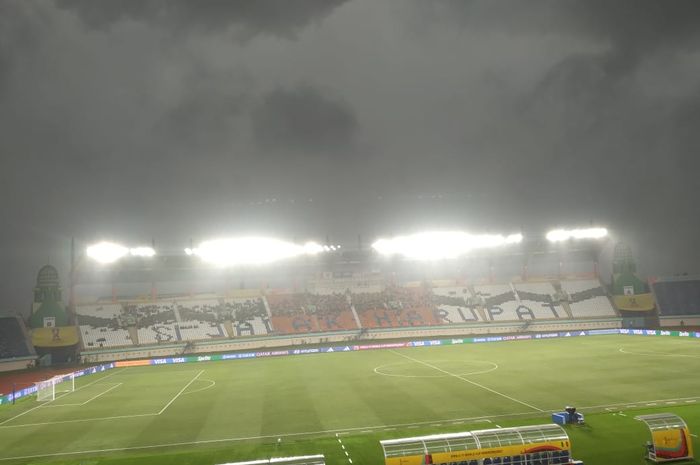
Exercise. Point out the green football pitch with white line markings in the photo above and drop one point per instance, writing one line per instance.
(342, 404)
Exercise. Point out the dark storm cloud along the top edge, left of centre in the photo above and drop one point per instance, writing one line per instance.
(280, 17)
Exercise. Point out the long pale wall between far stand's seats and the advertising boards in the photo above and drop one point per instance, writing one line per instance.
(107, 355)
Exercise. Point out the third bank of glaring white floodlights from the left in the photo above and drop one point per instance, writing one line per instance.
(441, 245)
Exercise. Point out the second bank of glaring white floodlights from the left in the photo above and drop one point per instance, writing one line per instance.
(253, 250)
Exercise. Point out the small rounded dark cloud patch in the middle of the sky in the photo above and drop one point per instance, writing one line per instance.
(303, 119)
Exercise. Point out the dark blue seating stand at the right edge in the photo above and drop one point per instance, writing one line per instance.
(678, 296)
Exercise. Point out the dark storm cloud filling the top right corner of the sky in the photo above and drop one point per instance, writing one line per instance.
(629, 29)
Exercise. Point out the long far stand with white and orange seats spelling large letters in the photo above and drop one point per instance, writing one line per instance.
(328, 309)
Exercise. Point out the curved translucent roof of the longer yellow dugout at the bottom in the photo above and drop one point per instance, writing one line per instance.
(473, 440)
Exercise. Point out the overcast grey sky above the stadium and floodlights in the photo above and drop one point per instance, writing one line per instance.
(177, 119)
